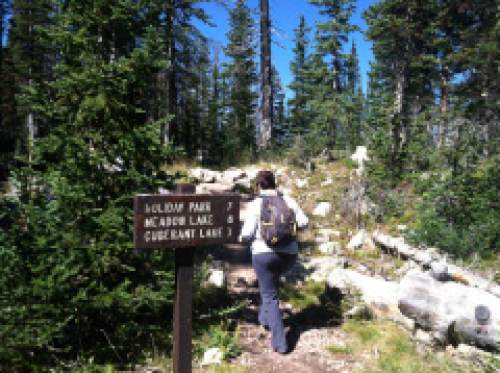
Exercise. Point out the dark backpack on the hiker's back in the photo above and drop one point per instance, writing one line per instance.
(278, 226)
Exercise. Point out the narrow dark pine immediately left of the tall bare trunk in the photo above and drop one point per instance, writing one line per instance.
(240, 130)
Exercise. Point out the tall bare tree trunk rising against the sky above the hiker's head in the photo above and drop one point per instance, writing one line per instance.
(266, 79)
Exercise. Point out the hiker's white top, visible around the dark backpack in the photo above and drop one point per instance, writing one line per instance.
(251, 225)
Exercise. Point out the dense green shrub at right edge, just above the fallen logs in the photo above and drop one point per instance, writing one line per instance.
(459, 212)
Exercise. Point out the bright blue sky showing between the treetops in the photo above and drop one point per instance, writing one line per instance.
(285, 18)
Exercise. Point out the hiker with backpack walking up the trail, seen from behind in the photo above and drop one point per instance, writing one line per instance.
(270, 225)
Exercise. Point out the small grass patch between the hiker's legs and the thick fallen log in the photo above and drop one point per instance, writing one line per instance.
(304, 296)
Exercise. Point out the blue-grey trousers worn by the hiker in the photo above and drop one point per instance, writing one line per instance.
(269, 267)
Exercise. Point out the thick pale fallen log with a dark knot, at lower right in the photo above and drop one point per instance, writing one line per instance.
(451, 312)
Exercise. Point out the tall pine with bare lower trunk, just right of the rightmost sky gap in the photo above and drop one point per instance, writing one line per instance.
(401, 32)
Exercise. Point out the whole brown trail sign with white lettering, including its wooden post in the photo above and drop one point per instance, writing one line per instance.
(184, 221)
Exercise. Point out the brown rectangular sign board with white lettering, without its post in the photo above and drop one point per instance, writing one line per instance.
(185, 220)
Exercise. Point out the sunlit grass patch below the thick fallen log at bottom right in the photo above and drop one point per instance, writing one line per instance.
(383, 347)
